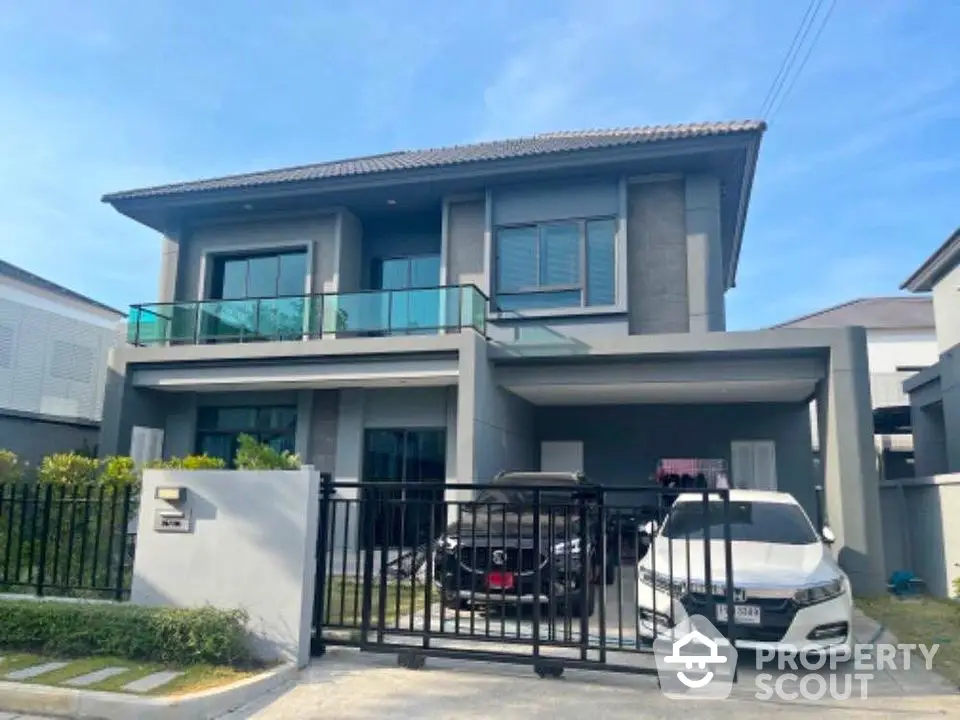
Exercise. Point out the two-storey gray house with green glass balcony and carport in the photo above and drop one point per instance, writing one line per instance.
(555, 301)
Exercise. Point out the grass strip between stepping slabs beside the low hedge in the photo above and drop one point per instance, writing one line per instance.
(195, 677)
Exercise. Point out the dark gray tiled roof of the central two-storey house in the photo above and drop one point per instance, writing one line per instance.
(543, 144)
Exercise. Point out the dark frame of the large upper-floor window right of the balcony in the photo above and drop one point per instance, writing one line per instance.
(539, 289)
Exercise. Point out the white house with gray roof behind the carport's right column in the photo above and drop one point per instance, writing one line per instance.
(901, 340)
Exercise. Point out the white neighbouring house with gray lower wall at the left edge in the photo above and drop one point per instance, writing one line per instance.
(54, 345)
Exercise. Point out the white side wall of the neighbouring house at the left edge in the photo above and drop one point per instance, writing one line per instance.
(53, 353)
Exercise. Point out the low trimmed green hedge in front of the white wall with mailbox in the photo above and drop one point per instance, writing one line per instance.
(167, 635)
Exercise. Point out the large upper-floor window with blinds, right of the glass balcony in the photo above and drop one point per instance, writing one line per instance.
(556, 265)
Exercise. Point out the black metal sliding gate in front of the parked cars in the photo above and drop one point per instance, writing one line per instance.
(534, 574)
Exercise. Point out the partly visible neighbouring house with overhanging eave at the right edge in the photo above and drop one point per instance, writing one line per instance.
(935, 392)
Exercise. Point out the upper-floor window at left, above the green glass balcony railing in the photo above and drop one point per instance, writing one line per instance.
(260, 275)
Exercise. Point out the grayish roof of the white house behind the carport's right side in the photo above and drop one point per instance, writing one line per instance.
(882, 313)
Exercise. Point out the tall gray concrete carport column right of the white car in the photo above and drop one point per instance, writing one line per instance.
(849, 464)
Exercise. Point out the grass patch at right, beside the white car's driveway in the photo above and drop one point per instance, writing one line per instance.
(922, 620)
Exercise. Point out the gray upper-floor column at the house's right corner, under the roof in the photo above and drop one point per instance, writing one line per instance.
(705, 284)
